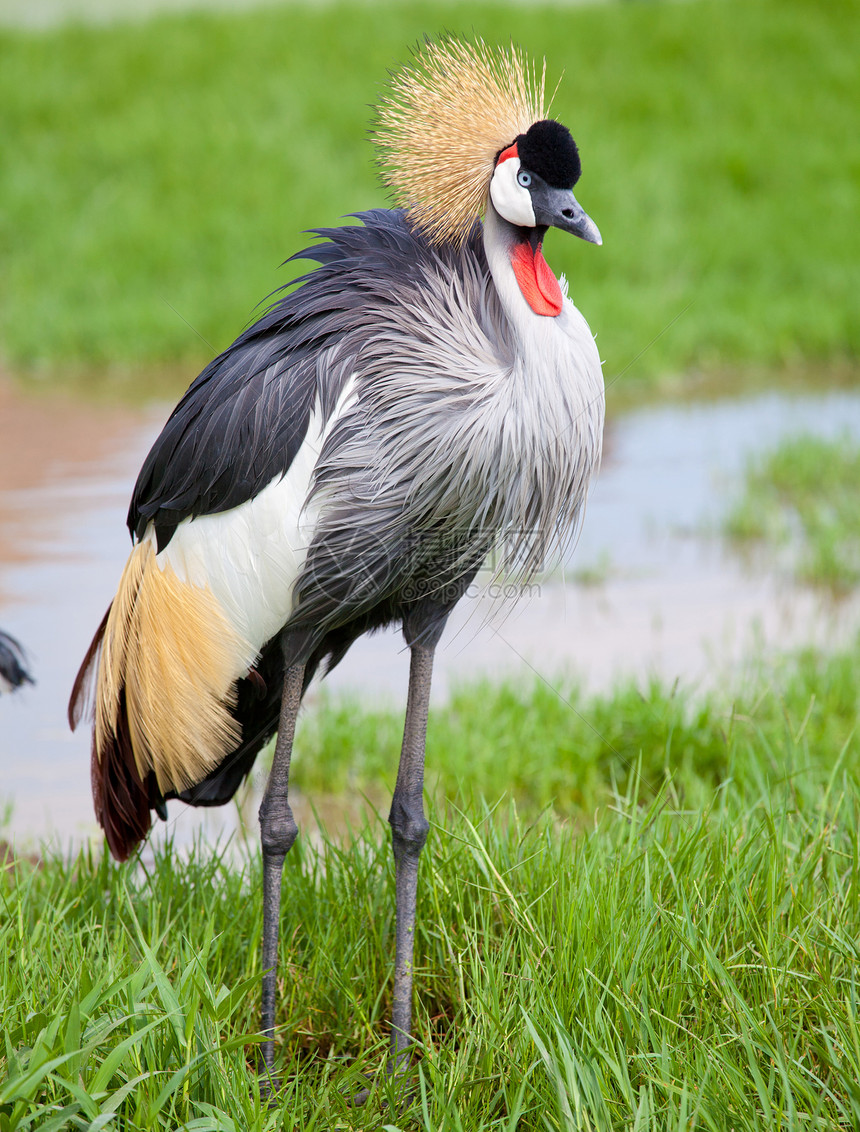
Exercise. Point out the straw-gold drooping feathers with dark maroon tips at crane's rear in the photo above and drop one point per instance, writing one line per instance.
(165, 663)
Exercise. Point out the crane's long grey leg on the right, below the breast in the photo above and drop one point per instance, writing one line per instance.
(409, 835)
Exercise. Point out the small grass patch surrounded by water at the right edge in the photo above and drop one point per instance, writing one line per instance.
(803, 499)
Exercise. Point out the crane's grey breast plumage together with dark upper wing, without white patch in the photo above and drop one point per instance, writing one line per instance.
(467, 431)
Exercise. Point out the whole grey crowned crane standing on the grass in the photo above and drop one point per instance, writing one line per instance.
(425, 398)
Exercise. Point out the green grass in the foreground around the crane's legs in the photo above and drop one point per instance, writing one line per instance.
(673, 947)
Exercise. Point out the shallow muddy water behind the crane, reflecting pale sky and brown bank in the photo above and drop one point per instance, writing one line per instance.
(669, 599)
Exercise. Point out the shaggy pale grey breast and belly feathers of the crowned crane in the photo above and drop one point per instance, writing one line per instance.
(463, 434)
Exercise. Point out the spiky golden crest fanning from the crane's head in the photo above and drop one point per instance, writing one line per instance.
(442, 125)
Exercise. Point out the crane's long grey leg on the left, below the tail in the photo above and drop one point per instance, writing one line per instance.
(278, 834)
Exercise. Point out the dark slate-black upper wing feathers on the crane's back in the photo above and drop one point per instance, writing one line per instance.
(244, 419)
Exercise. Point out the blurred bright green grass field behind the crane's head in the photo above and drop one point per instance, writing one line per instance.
(156, 175)
